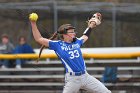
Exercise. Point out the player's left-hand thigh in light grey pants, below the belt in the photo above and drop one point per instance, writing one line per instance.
(72, 85)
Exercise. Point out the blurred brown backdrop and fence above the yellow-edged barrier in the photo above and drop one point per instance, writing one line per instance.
(119, 28)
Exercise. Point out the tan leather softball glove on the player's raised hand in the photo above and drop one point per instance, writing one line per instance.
(97, 17)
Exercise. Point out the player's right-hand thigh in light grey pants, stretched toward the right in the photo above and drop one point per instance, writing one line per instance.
(95, 86)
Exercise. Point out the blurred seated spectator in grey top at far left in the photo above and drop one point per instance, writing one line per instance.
(6, 48)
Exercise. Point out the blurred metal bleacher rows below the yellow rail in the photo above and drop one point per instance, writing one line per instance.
(48, 75)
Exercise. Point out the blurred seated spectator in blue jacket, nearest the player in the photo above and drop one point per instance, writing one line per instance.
(22, 48)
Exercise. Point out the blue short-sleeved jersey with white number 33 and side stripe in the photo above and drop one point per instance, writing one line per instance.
(70, 54)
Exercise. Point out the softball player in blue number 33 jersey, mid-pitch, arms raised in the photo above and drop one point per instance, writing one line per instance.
(69, 52)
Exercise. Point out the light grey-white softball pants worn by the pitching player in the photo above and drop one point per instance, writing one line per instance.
(85, 81)
